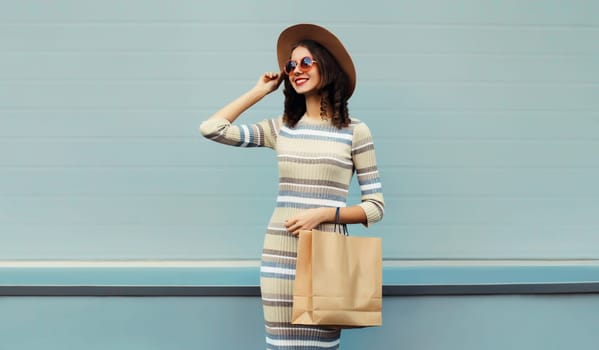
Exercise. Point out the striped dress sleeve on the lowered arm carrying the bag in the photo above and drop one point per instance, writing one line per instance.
(364, 159)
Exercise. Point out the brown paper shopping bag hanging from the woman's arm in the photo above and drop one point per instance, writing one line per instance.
(338, 280)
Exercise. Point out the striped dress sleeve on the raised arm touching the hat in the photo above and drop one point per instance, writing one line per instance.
(262, 134)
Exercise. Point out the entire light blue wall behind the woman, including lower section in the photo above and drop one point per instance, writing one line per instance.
(486, 123)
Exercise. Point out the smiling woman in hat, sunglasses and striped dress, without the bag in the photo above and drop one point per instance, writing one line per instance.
(318, 148)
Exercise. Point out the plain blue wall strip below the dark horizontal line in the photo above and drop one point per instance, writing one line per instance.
(432, 323)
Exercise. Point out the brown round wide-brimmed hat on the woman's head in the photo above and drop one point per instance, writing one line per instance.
(296, 33)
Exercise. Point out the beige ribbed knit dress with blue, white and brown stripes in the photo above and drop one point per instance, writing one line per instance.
(316, 163)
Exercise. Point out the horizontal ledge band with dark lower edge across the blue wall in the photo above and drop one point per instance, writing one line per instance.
(399, 278)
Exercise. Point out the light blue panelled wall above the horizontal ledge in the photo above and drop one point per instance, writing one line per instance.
(485, 117)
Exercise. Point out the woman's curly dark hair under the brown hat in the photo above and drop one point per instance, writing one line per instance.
(333, 89)
